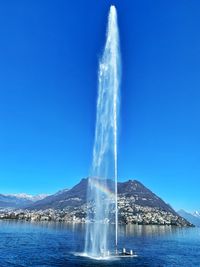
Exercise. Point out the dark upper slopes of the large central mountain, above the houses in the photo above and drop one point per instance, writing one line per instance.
(77, 196)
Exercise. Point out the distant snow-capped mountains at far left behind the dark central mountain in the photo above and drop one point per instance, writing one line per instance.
(18, 200)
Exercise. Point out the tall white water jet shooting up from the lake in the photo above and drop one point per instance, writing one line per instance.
(102, 184)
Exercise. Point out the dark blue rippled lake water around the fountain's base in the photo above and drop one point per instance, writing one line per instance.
(54, 244)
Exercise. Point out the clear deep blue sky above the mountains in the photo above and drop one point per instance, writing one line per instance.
(49, 53)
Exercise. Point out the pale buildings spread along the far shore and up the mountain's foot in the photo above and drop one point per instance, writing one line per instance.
(129, 213)
